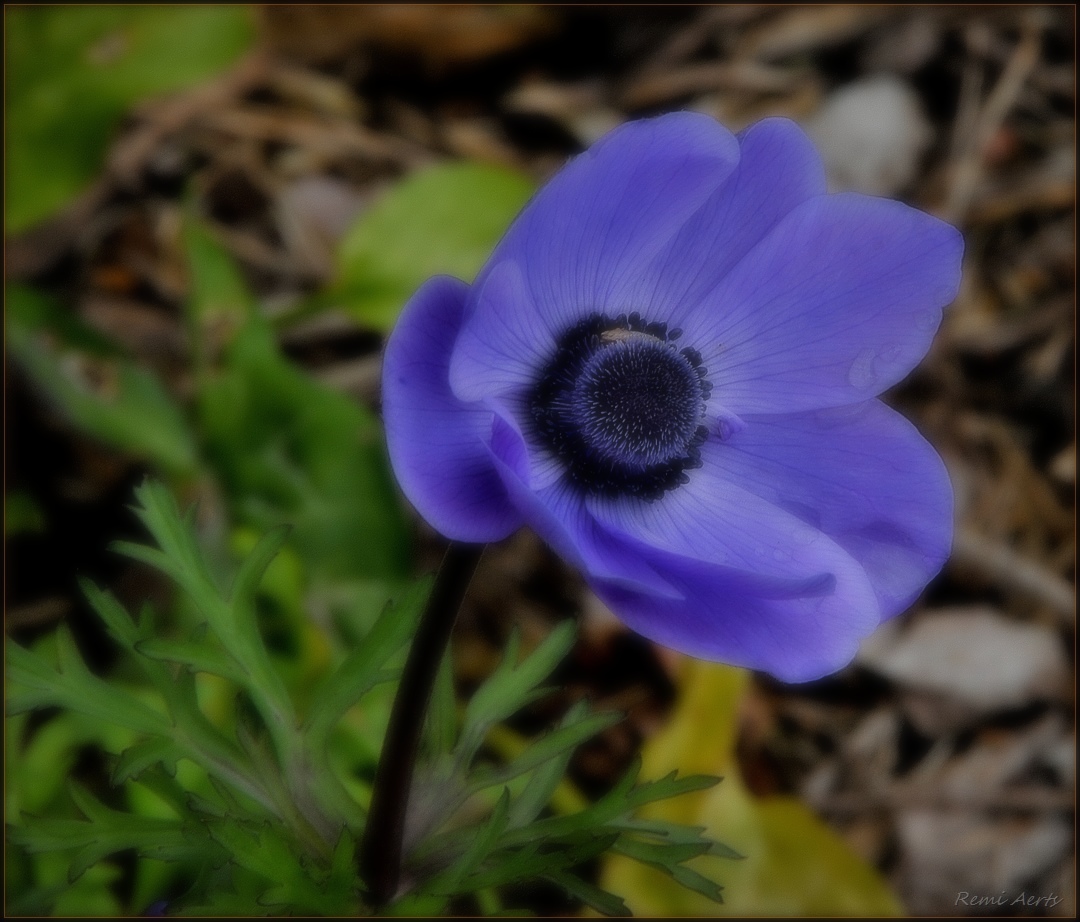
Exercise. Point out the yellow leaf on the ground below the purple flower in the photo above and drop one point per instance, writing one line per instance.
(794, 864)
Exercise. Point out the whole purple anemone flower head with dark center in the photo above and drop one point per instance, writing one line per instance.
(668, 369)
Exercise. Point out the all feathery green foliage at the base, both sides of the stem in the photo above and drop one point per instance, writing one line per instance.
(254, 810)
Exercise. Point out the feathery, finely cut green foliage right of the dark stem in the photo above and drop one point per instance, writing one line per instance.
(519, 840)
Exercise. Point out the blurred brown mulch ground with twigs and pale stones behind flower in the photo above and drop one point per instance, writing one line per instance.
(946, 754)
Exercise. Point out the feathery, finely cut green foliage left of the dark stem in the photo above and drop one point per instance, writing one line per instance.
(263, 816)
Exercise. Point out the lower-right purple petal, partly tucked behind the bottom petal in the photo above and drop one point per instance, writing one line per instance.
(861, 474)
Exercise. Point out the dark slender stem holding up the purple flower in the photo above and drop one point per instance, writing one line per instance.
(381, 852)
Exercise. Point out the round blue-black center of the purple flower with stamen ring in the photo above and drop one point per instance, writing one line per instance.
(623, 406)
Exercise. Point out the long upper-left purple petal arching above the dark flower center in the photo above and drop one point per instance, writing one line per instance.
(580, 245)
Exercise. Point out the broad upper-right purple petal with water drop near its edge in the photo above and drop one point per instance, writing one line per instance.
(838, 304)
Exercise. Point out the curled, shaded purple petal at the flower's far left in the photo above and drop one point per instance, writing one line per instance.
(437, 443)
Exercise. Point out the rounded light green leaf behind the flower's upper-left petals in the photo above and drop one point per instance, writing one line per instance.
(445, 220)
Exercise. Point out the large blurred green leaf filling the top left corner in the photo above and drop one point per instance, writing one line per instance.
(73, 72)
